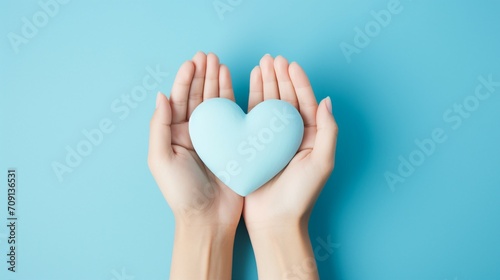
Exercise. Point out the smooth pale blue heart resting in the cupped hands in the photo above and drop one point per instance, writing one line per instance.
(245, 151)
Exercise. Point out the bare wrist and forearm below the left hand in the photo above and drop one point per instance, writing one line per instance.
(202, 253)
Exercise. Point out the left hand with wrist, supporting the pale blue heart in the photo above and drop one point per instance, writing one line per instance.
(206, 211)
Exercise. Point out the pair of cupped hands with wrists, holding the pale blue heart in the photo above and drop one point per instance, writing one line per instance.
(206, 211)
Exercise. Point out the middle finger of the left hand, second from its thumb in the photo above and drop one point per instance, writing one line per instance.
(196, 90)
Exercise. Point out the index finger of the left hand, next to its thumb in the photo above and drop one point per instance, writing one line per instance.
(180, 92)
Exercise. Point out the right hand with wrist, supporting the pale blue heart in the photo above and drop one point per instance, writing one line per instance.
(277, 214)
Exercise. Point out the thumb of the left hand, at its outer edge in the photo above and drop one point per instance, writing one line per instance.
(160, 140)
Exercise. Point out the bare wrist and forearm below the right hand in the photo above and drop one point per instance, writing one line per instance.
(284, 252)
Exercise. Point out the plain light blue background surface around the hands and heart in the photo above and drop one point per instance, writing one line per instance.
(108, 219)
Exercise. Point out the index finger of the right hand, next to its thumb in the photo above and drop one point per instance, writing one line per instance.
(305, 95)
